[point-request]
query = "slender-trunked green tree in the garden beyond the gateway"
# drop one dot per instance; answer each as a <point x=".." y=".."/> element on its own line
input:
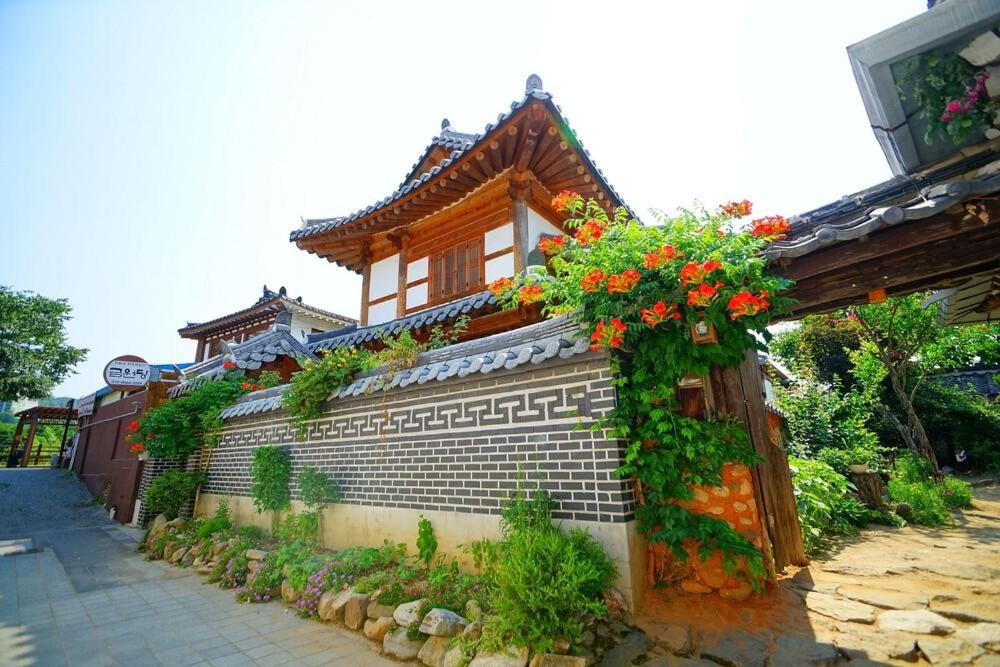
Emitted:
<point x="902" y="344"/>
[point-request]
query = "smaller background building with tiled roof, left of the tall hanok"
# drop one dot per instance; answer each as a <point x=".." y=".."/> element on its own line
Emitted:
<point x="240" y="326"/>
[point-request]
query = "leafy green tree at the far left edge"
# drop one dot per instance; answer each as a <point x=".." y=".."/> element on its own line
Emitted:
<point x="34" y="354"/>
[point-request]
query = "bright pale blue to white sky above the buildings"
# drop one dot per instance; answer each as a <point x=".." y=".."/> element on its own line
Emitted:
<point x="154" y="156"/>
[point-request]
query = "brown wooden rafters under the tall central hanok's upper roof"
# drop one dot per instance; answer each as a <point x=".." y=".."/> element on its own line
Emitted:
<point x="534" y="139"/>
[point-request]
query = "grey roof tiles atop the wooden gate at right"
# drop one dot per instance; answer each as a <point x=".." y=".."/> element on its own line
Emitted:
<point x="890" y="203"/>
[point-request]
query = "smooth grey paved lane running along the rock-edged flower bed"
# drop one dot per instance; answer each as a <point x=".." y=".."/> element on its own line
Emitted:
<point x="83" y="596"/>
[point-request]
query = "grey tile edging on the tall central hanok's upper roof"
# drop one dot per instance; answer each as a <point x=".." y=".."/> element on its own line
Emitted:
<point x="463" y="143"/>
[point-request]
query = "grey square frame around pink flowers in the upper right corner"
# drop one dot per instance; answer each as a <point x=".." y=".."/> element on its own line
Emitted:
<point x="875" y="61"/>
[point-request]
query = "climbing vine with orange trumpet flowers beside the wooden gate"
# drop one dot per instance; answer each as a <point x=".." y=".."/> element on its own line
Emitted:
<point x="643" y="292"/>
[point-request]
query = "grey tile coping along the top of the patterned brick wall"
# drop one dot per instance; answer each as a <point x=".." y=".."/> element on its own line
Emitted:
<point x="536" y="344"/>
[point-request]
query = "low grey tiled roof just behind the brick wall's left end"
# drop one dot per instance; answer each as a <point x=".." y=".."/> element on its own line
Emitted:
<point x="249" y="355"/>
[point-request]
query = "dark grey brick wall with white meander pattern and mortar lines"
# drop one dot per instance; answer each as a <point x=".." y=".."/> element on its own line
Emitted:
<point x="460" y="445"/>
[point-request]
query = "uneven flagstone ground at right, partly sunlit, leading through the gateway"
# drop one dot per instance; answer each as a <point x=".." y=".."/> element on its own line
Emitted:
<point x="903" y="596"/>
